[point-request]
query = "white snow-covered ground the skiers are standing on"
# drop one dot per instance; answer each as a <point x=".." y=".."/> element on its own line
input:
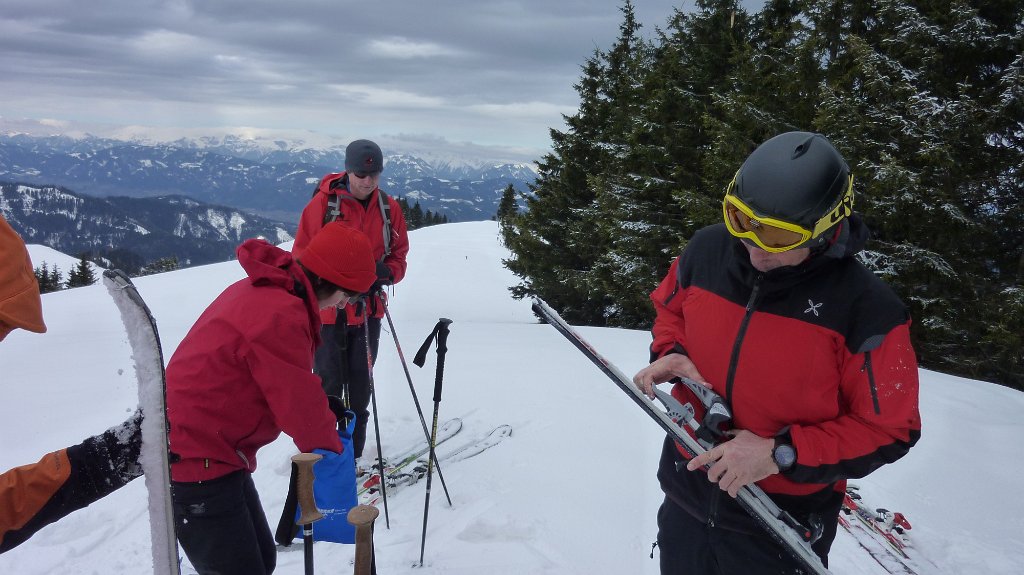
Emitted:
<point x="572" y="492"/>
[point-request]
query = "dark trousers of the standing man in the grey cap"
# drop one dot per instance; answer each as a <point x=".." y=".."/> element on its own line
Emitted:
<point x="342" y="364"/>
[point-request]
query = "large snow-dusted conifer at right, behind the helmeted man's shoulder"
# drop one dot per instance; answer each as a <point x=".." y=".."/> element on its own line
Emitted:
<point x="909" y="101"/>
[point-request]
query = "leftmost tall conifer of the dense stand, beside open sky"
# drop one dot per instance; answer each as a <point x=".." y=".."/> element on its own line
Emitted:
<point x="559" y="240"/>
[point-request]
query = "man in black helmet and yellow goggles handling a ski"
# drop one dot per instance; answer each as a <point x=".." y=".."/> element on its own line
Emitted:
<point x="774" y="312"/>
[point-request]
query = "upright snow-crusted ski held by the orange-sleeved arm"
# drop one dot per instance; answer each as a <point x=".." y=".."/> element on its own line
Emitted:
<point x="148" y="355"/>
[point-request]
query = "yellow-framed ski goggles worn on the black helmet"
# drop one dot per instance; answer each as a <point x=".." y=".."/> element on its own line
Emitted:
<point x="774" y="235"/>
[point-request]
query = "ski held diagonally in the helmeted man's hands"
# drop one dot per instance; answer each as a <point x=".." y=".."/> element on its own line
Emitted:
<point x="778" y="523"/>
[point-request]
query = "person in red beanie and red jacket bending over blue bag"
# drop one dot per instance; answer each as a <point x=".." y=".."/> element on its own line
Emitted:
<point x="242" y="376"/>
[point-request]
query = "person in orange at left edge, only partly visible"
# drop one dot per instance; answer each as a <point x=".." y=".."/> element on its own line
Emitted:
<point x="35" y="496"/>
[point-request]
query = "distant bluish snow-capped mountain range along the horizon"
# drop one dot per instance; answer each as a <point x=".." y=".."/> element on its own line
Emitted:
<point x="261" y="173"/>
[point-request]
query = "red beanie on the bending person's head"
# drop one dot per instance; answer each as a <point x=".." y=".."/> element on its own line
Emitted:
<point x="343" y="256"/>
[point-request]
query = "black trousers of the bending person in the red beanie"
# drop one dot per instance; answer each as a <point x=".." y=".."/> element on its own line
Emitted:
<point x="222" y="526"/>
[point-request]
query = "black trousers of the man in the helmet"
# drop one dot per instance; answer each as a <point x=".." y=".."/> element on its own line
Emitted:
<point x="691" y="547"/>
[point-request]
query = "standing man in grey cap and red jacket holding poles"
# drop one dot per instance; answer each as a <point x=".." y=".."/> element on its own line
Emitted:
<point x="354" y="199"/>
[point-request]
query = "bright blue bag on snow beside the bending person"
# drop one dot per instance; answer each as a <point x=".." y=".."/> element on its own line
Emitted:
<point x="334" y="491"/>
